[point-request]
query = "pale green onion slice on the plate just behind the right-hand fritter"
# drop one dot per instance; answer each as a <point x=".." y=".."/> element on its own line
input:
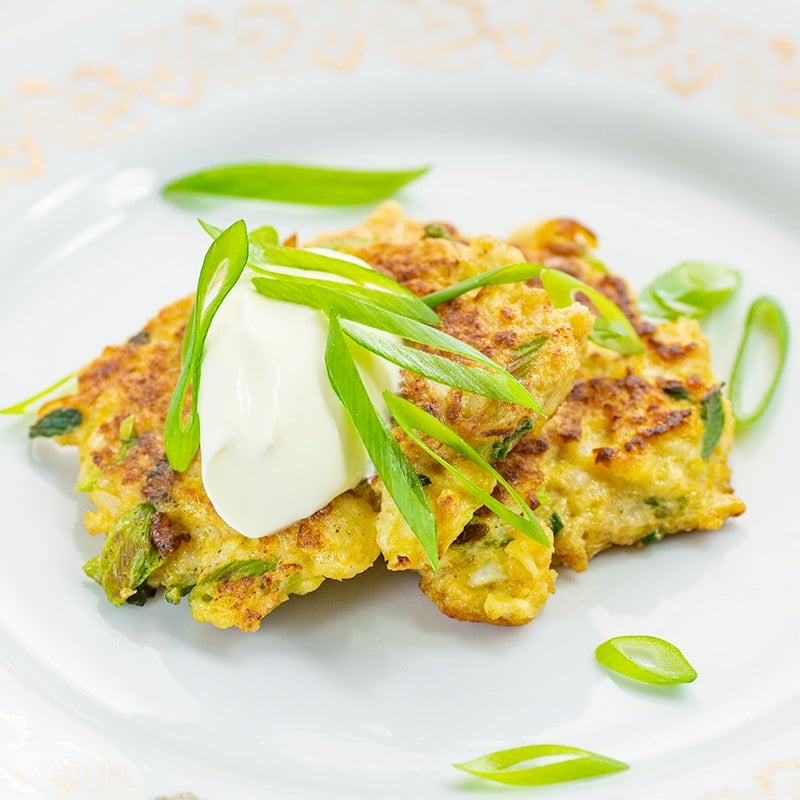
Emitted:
<point x="690" y="289"/>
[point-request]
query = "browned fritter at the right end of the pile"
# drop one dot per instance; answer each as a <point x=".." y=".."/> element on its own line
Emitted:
<point x="622" y="457"/>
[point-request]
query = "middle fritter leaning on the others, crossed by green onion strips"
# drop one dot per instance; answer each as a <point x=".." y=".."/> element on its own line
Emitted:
<point x="503" y="322"/>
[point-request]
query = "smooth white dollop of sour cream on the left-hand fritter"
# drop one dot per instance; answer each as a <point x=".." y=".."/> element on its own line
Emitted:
<point x="276" y="444"/>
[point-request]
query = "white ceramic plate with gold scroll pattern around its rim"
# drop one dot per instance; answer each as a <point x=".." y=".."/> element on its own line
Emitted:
<point x="671" y="129"/>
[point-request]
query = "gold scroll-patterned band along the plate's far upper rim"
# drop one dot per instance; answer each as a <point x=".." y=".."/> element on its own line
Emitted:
<point x="174" y="66"/>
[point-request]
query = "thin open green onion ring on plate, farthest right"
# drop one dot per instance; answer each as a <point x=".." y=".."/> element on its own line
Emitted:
<point x="766" y="325"/>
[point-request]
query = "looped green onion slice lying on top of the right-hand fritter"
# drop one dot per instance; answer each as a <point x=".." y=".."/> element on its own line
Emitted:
<point x="612" y="329"/>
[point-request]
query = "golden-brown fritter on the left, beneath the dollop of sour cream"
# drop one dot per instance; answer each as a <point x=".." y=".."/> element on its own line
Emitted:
<point x="231" y="580"/>
